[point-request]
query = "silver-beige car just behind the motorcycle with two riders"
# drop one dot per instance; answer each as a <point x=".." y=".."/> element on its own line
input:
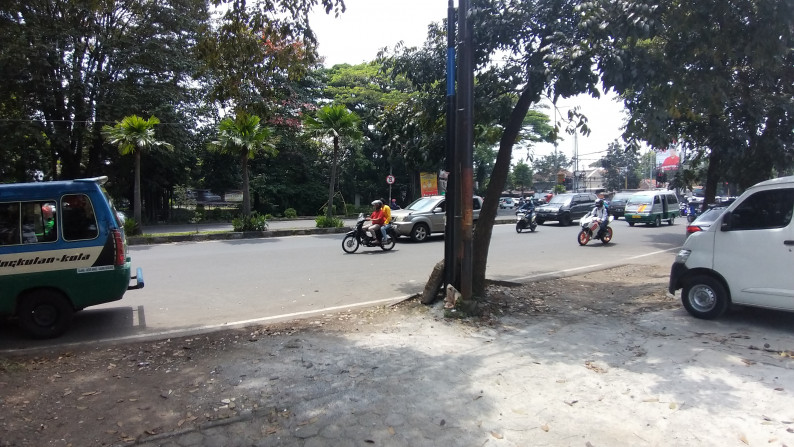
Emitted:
<point x="425" y="216"/>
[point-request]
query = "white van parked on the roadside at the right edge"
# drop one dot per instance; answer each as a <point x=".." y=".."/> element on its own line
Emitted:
<point x="745" y="257"/>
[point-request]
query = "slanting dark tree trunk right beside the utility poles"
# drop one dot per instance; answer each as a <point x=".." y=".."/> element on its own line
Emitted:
<point x="482" y="237"/>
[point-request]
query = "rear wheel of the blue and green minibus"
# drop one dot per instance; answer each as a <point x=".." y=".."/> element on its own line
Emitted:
<point x="45" y="313"/>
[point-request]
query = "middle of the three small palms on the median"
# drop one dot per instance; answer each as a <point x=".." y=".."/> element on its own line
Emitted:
<point x="244" y="137"/>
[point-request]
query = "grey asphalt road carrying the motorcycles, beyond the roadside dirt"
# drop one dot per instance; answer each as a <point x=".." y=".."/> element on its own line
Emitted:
<point x="199" y="286"/>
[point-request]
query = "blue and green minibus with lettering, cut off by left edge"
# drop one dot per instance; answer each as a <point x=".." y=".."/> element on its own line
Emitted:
<point x="62" y="249"/>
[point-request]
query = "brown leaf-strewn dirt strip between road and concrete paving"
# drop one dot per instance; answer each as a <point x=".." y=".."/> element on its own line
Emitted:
<point x="112" y="394"/>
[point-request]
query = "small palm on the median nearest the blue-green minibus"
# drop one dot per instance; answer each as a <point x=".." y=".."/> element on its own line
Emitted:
<point x="133" y="135"/>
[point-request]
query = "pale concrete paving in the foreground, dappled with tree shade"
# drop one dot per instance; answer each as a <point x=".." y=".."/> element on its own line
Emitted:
<point x="410" y="377"/>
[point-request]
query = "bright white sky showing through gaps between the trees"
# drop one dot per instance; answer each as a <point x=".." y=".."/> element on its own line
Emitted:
<point x="367" y="26"/>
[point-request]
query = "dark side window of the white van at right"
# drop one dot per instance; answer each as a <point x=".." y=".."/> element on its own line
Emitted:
<point x="764" y="209"/>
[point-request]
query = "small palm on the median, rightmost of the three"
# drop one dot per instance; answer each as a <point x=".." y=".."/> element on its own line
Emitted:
<point x="337" y="122"/>
